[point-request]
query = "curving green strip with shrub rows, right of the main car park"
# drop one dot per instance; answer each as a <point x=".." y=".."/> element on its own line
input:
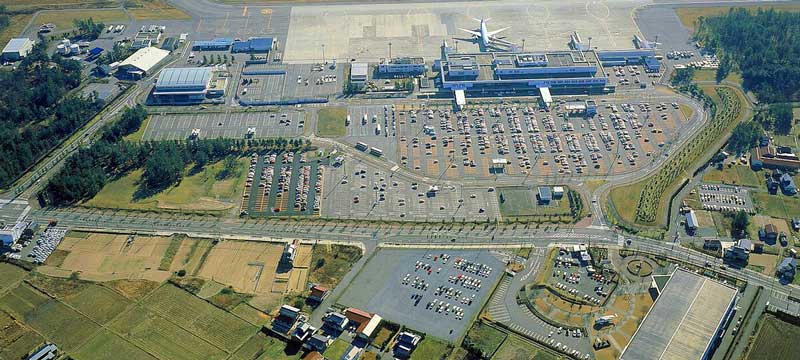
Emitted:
<point x="646" y="203"/>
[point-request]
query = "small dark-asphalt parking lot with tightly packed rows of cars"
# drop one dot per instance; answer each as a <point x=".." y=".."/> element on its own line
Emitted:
<point x="283" y="184"/>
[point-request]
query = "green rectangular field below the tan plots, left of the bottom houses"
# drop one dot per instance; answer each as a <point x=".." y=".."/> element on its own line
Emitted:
<point x="216" y="326"/>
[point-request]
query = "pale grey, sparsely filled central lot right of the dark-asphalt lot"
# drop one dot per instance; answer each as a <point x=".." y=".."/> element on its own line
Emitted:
<point x="358" y="190"/>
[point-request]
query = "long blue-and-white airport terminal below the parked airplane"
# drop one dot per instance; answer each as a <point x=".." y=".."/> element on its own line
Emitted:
<point x="521" y="73"/>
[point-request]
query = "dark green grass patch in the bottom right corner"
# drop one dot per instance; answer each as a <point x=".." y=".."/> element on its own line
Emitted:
<point x="775" y="339"/>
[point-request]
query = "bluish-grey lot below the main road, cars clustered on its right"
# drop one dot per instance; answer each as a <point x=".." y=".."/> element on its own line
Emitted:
<point x="433" y="291"/>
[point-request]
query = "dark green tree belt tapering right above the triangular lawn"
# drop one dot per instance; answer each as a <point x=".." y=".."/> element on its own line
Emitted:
<point x="88" y="170"/>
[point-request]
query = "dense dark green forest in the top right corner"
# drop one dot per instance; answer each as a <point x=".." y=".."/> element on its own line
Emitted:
<point x="762" y="45"/>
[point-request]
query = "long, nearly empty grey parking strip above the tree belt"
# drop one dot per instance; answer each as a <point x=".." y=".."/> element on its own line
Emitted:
<point x="288" y="123"/>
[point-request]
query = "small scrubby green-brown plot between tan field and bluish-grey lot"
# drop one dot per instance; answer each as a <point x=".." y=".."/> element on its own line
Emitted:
<point x="329" y="263"/>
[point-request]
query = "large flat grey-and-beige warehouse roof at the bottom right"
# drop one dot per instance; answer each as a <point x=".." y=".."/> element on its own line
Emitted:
<point x="684" y="320"/>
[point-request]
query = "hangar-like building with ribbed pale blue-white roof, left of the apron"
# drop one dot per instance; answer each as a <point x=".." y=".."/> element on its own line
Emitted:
<point x="187" y="85"/>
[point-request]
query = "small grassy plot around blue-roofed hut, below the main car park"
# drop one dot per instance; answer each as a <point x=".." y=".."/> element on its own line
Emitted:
<point x="522" y="202"/>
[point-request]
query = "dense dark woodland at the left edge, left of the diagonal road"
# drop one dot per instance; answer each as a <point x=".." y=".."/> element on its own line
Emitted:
<point x="37" y="112"/>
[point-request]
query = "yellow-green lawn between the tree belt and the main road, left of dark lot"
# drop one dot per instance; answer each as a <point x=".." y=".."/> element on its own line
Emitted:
<point x="201" y="192"/>
